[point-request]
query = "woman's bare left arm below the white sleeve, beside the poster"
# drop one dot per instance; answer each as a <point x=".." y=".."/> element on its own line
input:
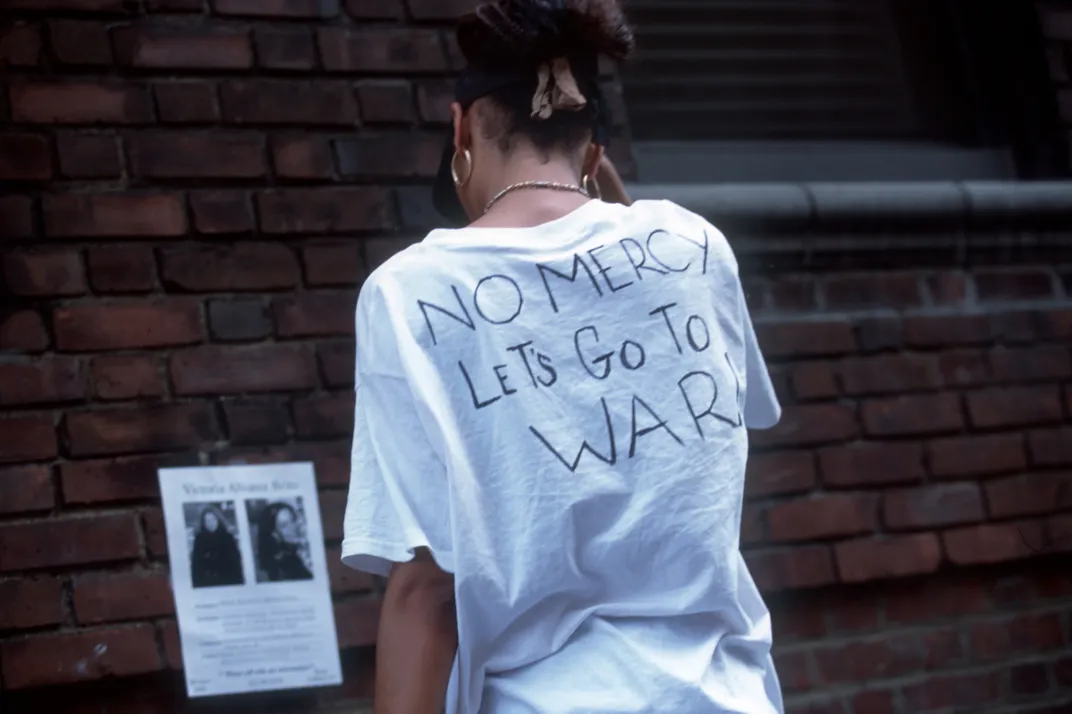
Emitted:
<point x="418" y="639"/>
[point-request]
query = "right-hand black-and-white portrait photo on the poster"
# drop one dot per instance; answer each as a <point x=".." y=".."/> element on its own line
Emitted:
<point x="279" y="535"/>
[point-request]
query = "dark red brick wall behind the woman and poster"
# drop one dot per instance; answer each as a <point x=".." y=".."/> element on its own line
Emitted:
<point x="193" y="191"/>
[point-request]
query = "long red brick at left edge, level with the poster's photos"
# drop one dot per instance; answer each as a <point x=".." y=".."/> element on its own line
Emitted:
<point x="54" y="543"/>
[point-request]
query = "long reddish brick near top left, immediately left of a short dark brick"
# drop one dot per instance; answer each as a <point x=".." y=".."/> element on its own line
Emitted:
<point x="183" y="50"/>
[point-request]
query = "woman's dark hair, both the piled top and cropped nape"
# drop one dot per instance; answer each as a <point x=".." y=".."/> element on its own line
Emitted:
<point x="524" y="34"/>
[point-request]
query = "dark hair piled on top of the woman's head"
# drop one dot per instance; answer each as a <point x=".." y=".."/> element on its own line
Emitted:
<point x="532" y="32"/>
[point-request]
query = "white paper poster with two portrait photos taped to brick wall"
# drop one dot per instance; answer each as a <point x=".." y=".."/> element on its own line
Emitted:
<point x="250" y="578"/>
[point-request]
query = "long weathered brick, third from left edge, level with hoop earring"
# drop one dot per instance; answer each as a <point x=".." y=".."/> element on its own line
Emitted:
<point x="182" y="155"/>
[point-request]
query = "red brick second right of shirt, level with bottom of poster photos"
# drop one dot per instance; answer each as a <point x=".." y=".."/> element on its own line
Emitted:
<point x="859" y="561"/>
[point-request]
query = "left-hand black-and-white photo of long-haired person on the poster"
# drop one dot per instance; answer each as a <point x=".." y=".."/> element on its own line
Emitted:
<point x="213" y="544"/>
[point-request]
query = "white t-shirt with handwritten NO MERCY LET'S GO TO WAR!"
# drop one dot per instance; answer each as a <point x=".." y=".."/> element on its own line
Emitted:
<point x="559" y="415"/>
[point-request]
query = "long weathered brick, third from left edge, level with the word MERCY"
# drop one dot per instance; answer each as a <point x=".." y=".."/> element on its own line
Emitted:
<point x="230" y="269"/>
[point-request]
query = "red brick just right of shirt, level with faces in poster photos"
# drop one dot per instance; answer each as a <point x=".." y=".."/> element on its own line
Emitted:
<point x="824" y="517"/>
